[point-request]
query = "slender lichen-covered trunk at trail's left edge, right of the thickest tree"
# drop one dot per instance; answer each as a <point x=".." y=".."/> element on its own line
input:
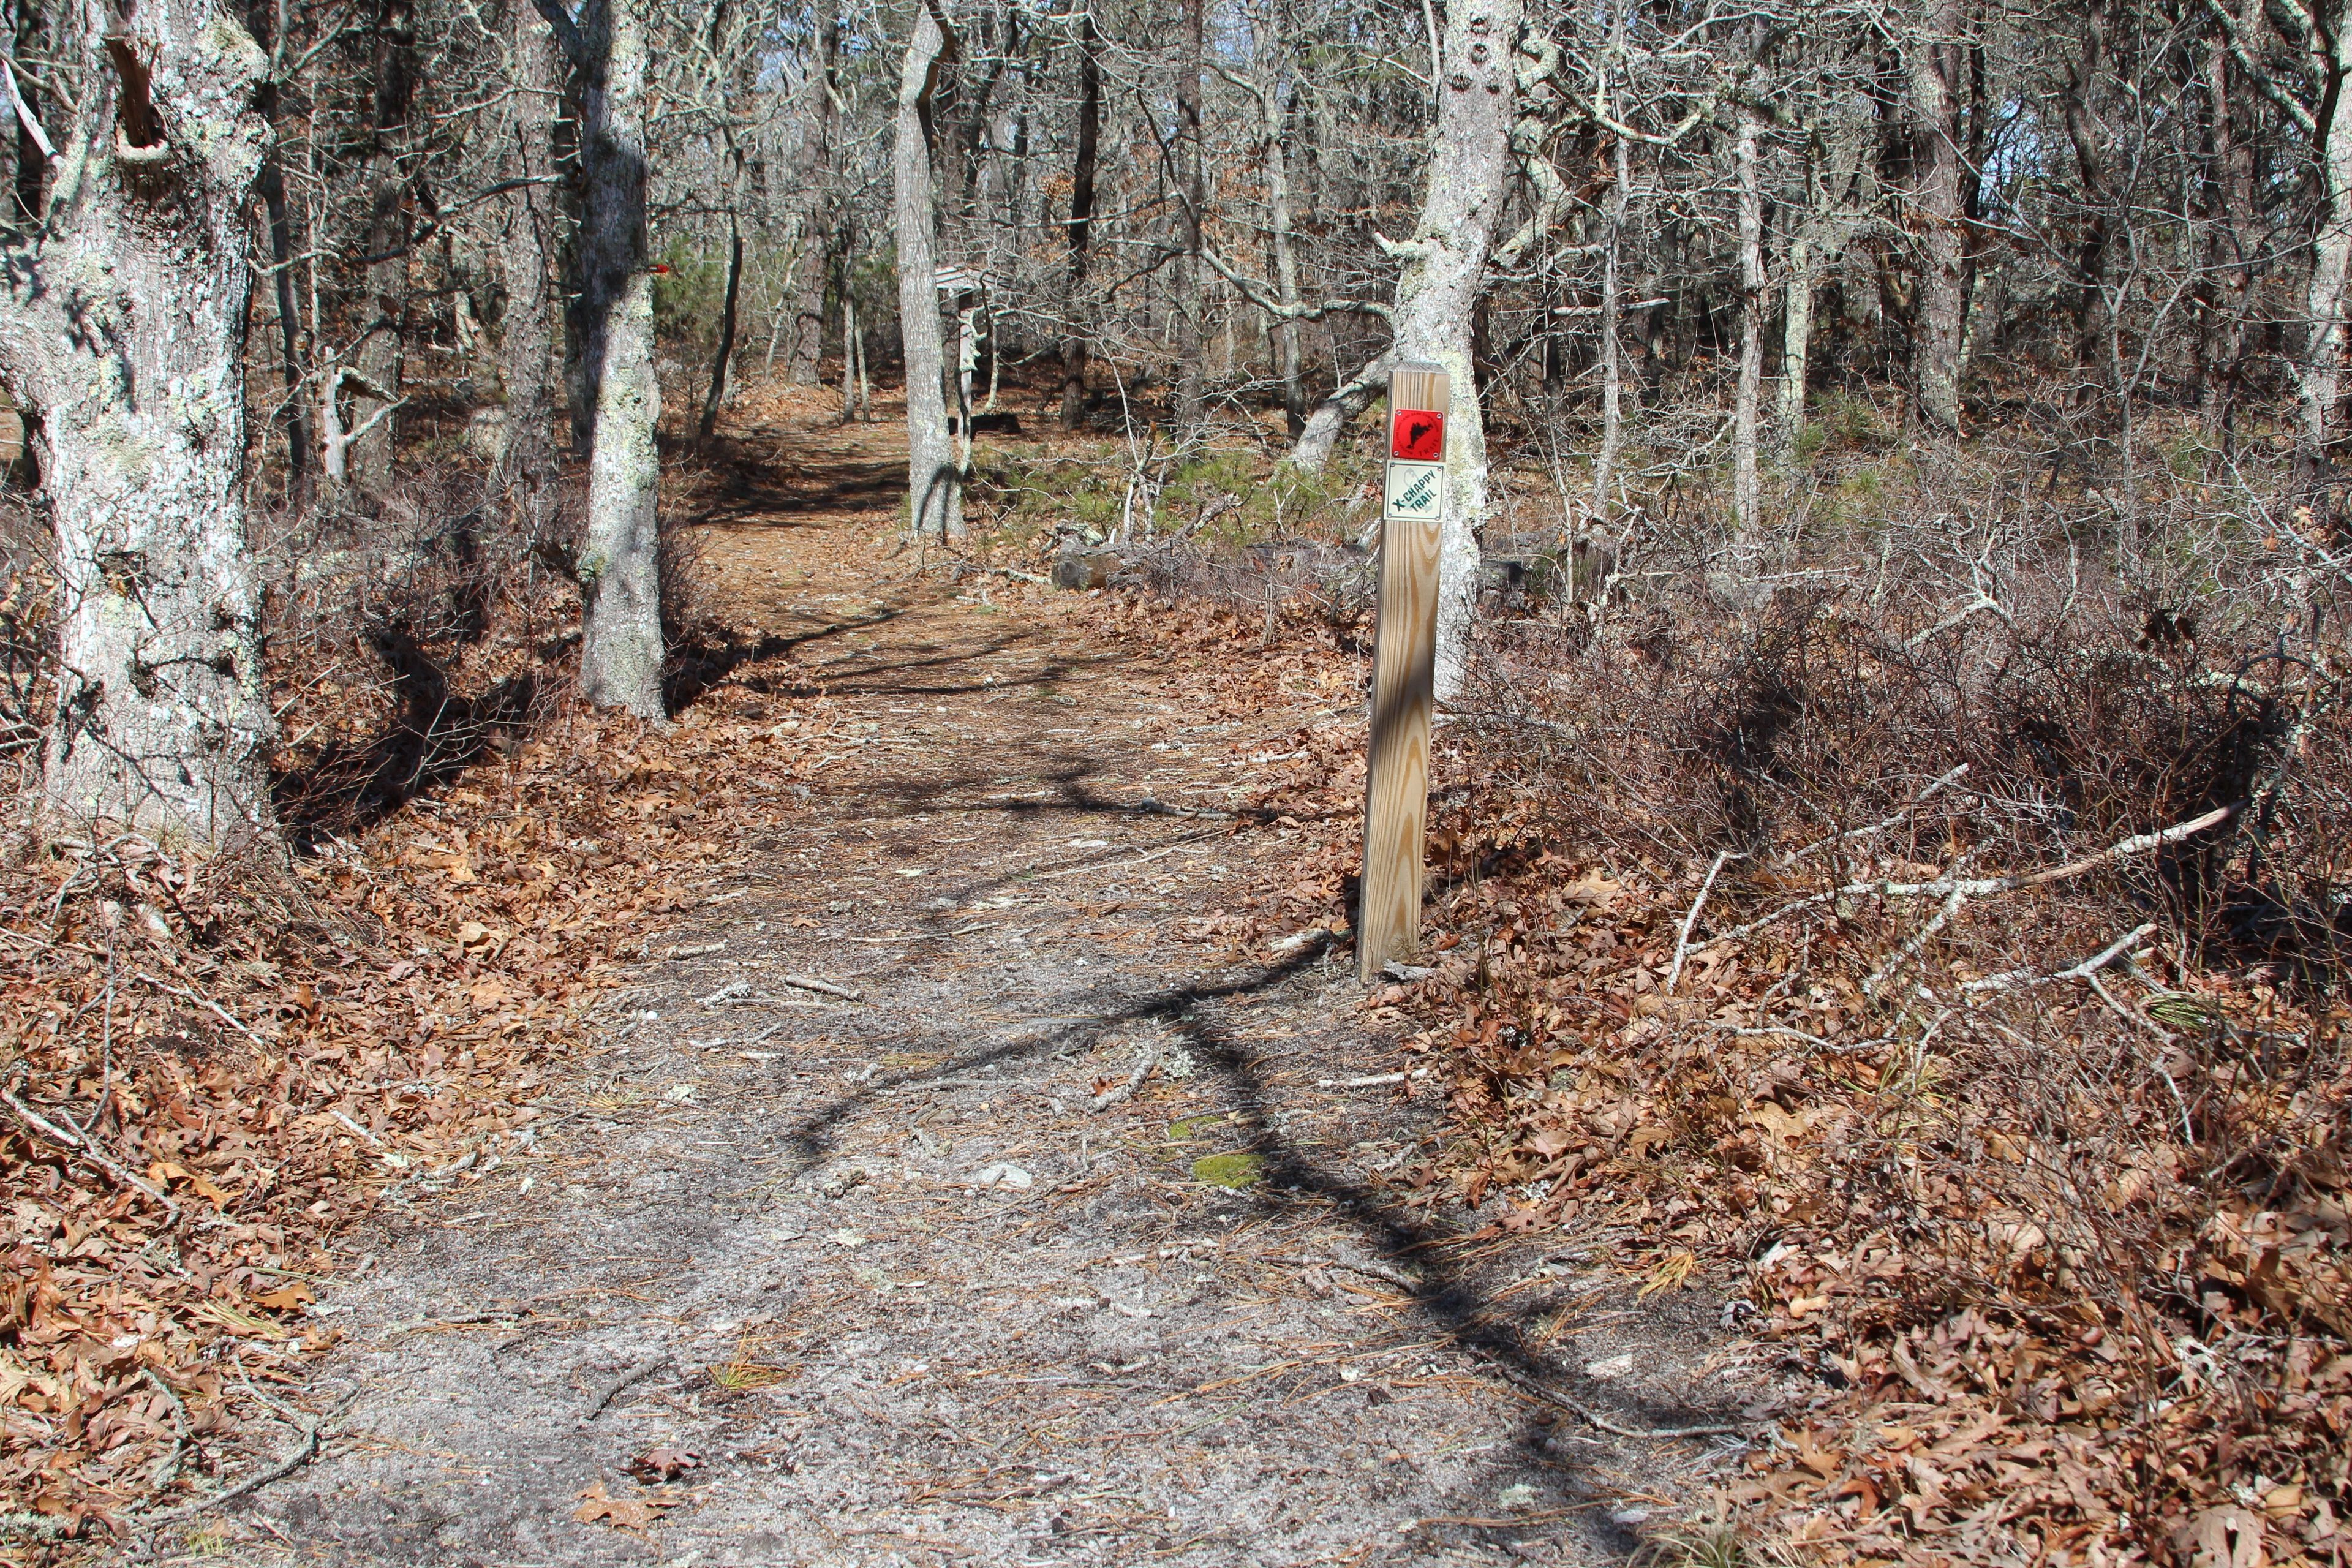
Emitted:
<point x="622" y="549"/>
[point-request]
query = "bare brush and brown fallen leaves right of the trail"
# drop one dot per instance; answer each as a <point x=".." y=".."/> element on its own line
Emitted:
<point x="1944" y="946"/>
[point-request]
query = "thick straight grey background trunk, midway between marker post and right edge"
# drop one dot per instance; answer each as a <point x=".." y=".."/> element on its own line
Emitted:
<point x="1935" y="60"/>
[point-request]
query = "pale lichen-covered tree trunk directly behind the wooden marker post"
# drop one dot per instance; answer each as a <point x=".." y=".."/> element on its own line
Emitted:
<point x="1445" y="276"/>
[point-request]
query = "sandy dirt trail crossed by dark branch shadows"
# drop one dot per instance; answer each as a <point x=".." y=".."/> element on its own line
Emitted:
<point x="888" y="1266"/>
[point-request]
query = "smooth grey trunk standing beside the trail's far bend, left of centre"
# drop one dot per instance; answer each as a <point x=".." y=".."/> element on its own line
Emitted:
<point x="935" y="483"/>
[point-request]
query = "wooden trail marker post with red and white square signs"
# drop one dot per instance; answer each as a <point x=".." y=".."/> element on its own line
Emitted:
<point x="1403" y="669"/>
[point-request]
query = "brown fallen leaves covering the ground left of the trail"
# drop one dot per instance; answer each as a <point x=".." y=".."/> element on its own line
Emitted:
<point x="218" y="1068"/>
